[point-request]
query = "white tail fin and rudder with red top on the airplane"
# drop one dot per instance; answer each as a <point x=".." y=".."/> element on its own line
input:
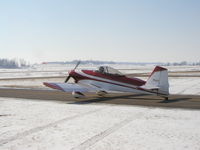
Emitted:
<point x="158" y="80"/>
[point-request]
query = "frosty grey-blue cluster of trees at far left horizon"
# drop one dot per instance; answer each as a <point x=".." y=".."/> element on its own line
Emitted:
<point x="14" y="63"/>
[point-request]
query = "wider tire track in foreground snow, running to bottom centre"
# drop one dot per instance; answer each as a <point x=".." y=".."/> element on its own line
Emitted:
<point x="91" y="141"/>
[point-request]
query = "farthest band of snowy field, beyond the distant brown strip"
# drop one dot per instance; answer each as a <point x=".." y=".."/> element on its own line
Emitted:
<point x="49" y="70"/>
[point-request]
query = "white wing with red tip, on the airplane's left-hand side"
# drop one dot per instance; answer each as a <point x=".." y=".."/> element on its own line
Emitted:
<point x="69" y="87"/>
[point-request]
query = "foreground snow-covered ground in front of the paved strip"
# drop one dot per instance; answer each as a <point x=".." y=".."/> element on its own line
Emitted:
<point x="42" y="125"/>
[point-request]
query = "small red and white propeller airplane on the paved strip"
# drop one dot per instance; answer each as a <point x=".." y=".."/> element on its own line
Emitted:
<point x="109" y="80"/>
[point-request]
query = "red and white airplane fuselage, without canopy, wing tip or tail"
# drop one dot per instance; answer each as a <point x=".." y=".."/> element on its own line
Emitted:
<point x="107" y="82"/>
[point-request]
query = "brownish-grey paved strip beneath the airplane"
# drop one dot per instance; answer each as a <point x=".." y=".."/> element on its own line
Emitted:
<point x="175" y="101"/>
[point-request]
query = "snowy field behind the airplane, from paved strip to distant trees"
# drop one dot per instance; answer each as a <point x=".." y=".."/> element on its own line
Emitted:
<point x="182" y="80"/>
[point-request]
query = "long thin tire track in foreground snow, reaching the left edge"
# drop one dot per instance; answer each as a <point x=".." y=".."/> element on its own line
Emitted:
<point x="40" y="128"/>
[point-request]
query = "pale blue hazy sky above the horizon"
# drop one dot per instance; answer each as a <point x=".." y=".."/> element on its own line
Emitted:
<point x="113" y="30"/>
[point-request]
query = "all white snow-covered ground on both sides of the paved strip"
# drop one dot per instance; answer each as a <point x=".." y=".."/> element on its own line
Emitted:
<point x="42" y="125"/>
